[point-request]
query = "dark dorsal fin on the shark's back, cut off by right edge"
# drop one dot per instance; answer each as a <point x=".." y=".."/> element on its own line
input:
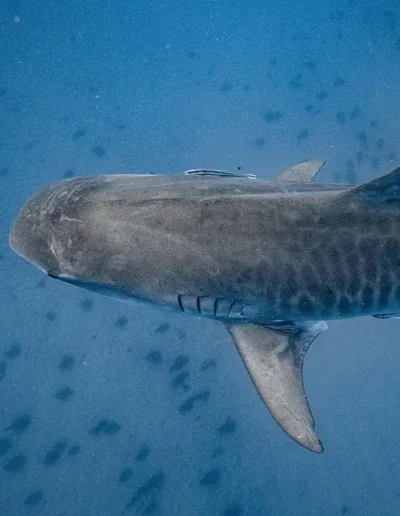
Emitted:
<point x="383" y="189"/>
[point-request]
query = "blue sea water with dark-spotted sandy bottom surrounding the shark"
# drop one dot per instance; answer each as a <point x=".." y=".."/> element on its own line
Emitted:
<point x="111" y="409"/>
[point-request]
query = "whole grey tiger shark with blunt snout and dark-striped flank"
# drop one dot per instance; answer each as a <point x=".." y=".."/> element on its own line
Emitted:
<point x="271" y="260"/>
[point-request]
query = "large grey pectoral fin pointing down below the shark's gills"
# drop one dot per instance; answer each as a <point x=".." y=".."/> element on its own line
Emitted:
<point x="273" y="356"/>
